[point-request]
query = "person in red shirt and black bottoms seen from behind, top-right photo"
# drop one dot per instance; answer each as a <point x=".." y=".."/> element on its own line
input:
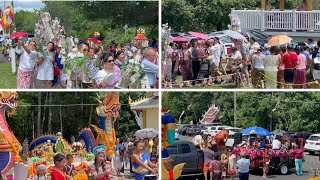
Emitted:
<point x="290" y="60"/>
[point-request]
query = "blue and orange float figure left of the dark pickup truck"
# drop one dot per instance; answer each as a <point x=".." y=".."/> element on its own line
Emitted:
<point x="168" y="126"/>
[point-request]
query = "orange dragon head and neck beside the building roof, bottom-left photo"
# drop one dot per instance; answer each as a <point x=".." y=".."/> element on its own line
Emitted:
<point x="108" y="113"/>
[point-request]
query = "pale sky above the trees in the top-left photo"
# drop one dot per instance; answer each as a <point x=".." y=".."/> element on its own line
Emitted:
<point x="27" y="5"/>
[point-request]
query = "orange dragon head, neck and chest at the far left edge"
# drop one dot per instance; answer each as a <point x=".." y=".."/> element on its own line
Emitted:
<point x="9" y="145"/>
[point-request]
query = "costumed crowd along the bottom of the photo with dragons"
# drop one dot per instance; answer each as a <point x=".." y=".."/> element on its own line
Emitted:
<point x="137" y="155"/>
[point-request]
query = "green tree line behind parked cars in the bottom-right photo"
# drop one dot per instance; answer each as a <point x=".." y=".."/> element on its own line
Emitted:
<point x="291" y="111"/>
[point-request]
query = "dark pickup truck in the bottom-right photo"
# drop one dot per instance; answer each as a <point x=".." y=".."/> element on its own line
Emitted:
<point x="186" y="152"/>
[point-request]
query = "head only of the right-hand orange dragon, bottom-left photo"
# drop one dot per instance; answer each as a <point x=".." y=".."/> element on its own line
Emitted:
<point x="109" y="106"/>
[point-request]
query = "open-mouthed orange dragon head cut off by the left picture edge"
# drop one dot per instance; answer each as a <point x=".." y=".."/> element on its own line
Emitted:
<point x="8" y="100"/>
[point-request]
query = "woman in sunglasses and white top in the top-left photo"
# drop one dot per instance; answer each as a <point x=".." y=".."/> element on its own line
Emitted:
<point x="109" y="69"/>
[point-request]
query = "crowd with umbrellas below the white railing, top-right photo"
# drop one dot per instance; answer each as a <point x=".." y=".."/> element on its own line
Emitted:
<point x="285" y="66"/>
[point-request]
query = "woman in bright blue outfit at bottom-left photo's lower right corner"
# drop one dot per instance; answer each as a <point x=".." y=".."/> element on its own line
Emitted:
<point x="141" y="162"/>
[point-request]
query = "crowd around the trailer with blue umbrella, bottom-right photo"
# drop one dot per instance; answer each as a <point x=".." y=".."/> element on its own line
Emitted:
<point x="220" y="162"/>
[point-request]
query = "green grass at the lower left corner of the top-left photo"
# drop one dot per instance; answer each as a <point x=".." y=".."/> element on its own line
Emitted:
<point x="7" y="79"/>
